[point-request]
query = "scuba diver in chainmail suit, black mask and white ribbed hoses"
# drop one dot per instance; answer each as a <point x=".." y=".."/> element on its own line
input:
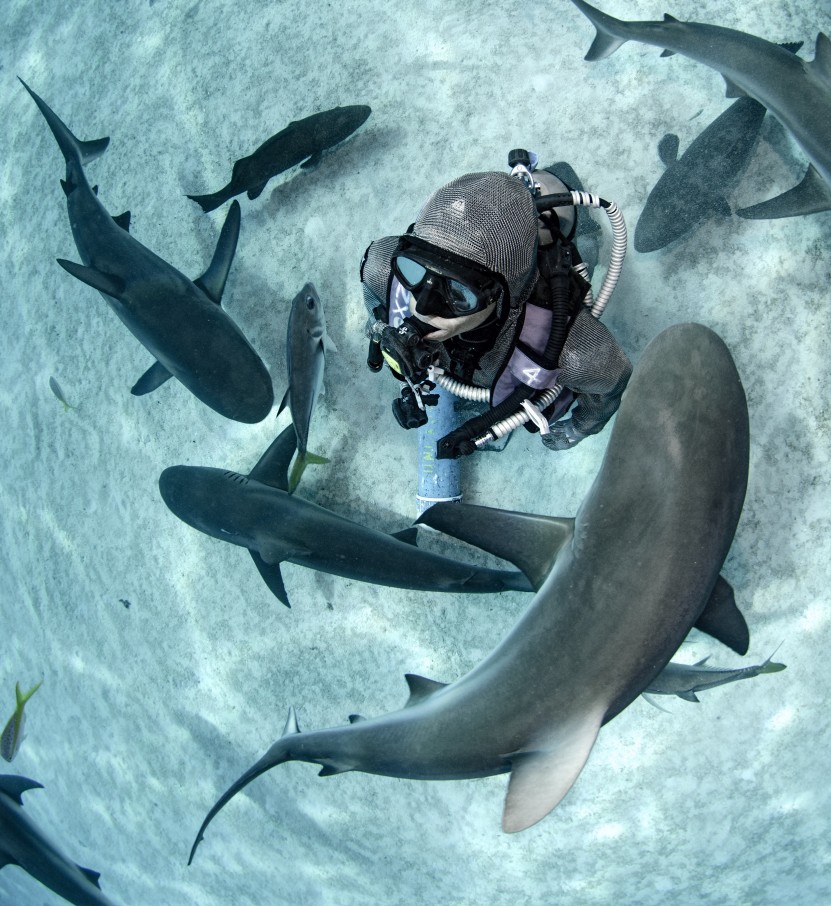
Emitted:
<point x="487" y="296"/>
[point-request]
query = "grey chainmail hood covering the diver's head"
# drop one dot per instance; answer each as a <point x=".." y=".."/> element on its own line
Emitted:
<point x="489" y="218"/>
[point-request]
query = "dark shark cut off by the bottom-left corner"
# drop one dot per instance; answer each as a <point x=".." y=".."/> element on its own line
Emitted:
<point x="23" y="844"/>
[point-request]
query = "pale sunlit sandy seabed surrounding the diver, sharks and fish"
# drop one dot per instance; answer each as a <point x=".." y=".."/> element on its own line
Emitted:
<point x="147" y="713"/>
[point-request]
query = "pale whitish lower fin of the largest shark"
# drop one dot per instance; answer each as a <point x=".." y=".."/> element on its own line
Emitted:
<point x="541" y="778"/>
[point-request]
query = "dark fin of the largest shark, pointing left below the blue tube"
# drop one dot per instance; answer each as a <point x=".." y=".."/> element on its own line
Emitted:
<point x="530" y="542"/>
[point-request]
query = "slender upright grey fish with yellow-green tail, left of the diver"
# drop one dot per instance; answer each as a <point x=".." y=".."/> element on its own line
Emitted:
<point x="306" y="345"/>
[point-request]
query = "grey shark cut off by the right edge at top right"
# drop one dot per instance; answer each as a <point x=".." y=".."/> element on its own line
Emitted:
<point x="795" y="92"/>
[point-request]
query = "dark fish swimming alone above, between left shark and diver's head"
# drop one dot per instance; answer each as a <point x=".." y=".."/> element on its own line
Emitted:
<point x="302" y="140"/>
